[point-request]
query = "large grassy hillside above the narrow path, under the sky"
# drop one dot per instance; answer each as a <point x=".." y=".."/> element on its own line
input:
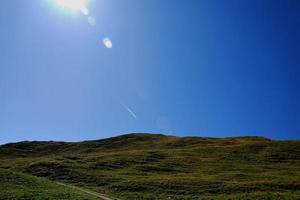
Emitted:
<point x="143" y="166"/>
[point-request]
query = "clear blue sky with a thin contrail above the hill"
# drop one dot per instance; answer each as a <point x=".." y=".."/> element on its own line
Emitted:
<point x="215" y="68"/>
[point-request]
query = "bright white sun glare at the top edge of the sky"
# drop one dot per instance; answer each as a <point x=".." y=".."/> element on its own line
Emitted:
<point x="73" y="5"/>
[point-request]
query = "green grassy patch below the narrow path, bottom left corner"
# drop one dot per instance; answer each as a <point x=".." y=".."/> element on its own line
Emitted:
<point x="20" y="186"/>
